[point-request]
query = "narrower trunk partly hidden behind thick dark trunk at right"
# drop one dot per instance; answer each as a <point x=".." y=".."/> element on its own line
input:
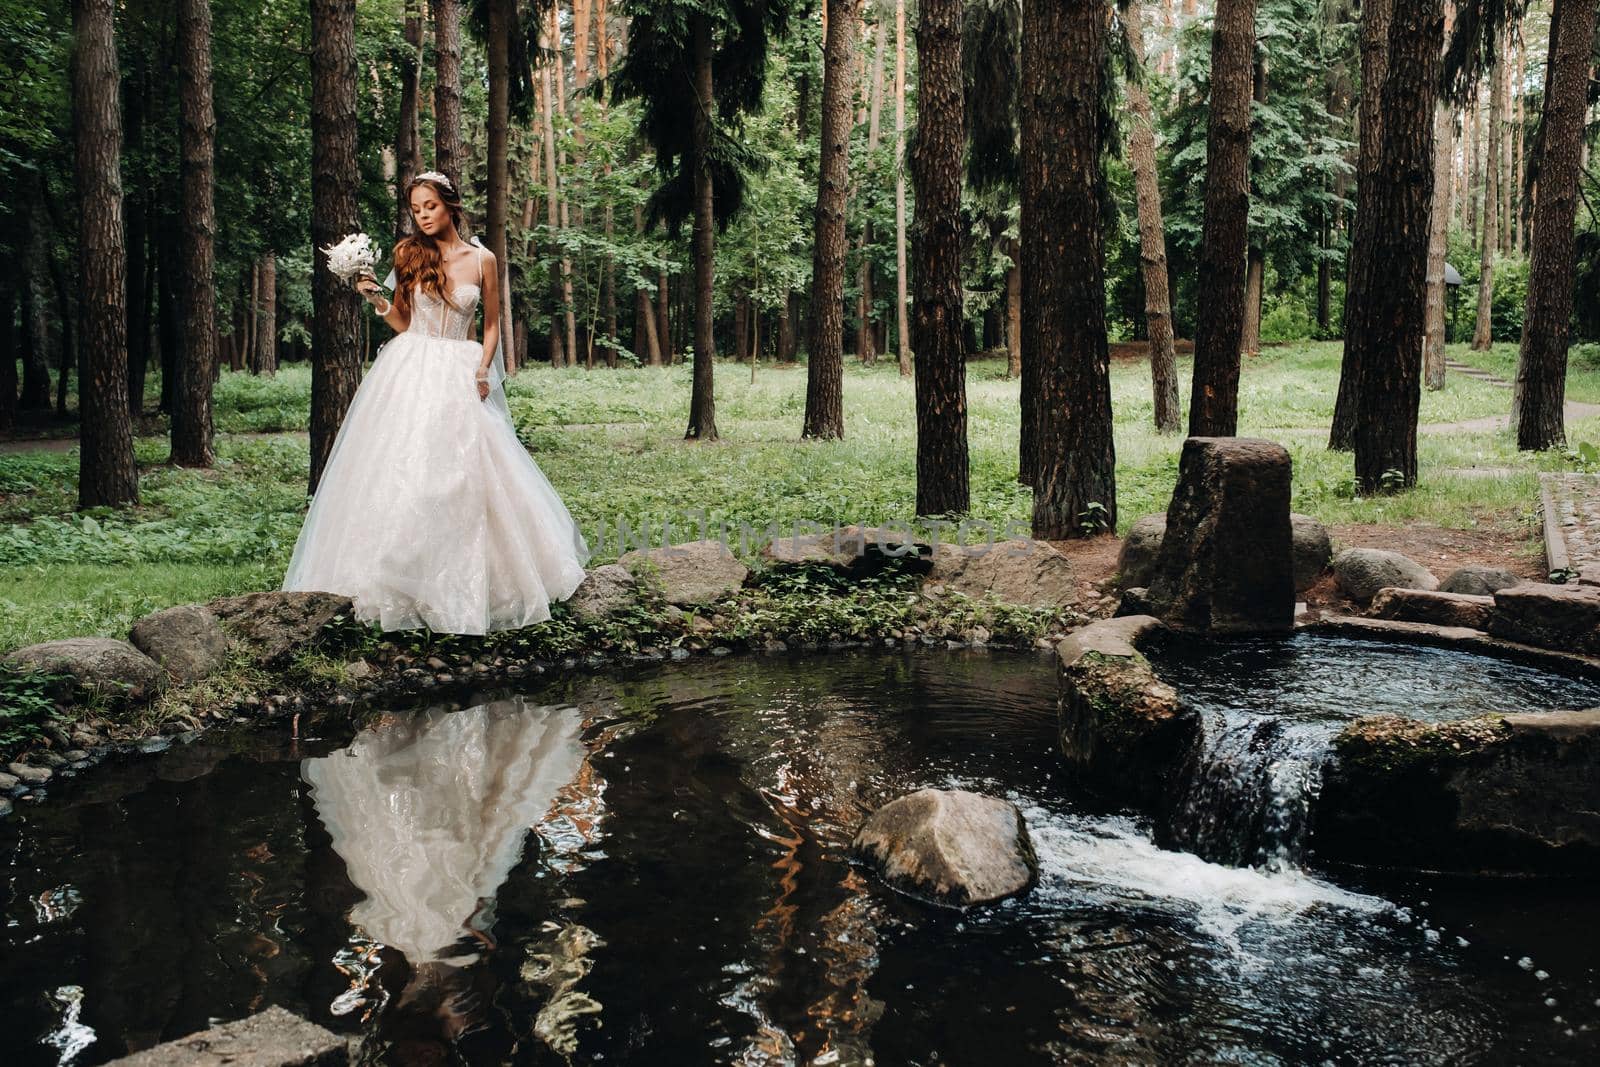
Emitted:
<point x="1377" y="17"/>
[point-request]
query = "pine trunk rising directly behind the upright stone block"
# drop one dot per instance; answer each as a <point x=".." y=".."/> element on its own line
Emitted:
<point x="1214" y="409"/>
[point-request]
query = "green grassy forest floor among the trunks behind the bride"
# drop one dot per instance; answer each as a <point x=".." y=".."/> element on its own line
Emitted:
<point x="612" y="442"/>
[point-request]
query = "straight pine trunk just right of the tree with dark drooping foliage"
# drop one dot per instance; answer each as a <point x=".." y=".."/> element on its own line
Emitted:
<point x="825" y="401"/>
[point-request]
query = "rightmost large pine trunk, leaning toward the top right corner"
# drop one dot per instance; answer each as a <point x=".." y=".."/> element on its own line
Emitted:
<point x="1542" y="369"/>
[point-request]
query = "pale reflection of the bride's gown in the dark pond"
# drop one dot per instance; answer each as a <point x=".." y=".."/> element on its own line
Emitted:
<point x="430" y="815"/>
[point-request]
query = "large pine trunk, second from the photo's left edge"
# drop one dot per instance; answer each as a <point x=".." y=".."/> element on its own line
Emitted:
<point x="198" y="137"/>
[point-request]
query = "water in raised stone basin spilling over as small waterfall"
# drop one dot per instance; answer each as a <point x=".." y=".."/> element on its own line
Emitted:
<point x="1271" y="708"/>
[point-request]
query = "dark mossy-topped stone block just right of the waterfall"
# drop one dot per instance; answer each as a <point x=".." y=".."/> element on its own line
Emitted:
<point x="1492" y="794"/>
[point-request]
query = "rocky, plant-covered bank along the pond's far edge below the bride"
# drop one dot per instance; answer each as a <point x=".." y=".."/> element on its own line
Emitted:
<point x="281" y="655"/>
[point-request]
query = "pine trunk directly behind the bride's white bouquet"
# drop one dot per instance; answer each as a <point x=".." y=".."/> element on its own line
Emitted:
<point x="335" y="177"/>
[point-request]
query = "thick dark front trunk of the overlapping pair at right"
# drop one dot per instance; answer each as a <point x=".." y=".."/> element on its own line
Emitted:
<point x="1388" y="327"/>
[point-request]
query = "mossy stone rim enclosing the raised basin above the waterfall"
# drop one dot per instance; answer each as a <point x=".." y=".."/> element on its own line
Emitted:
<point x="1492" y="794"/>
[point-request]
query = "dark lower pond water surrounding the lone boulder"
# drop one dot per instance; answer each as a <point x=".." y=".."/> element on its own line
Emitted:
<point x="684" y="897"/>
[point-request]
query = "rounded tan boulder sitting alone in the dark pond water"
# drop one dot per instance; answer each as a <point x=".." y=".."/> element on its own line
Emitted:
<point x="951" y="847"/>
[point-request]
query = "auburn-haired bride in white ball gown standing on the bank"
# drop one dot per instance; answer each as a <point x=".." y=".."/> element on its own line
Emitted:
<point x="430" y="511"/>
